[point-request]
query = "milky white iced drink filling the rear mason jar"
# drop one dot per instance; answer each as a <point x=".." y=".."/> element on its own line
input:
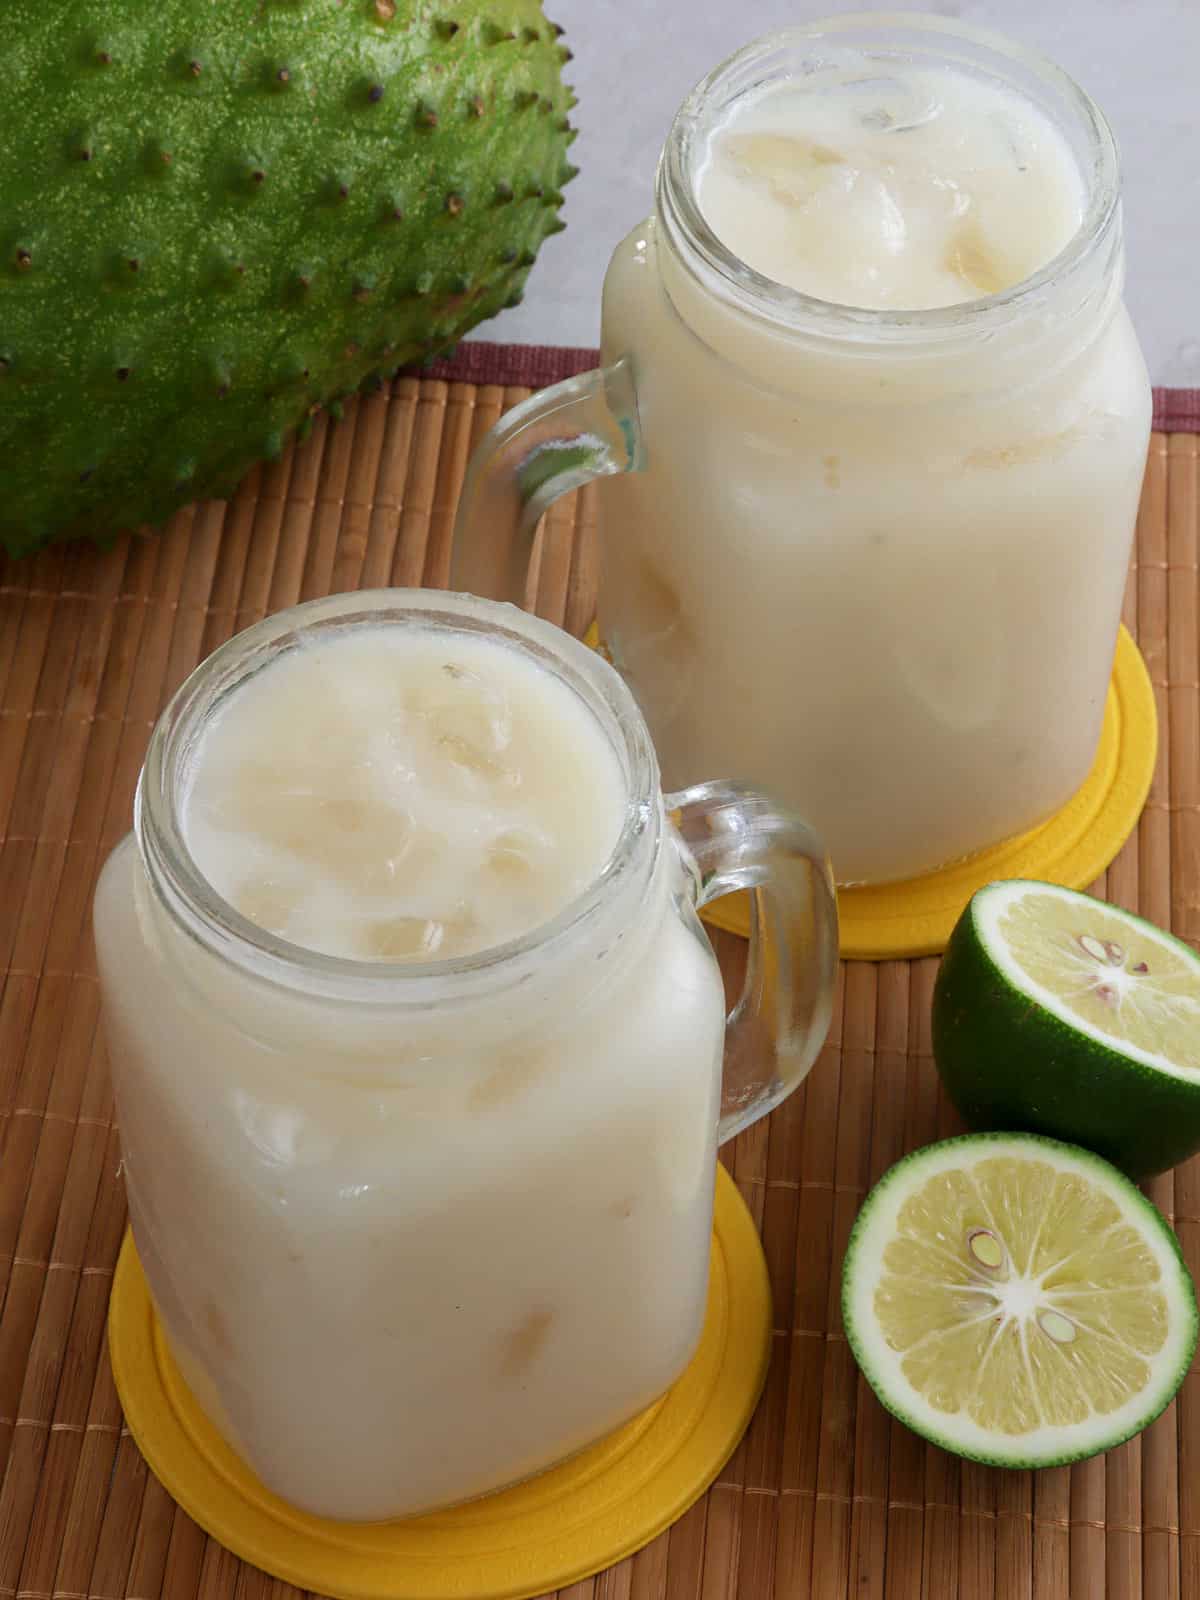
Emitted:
<point x="876" y="553"/>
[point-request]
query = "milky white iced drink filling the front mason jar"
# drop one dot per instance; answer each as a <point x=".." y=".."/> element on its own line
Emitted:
<point x="415" y="1238"/>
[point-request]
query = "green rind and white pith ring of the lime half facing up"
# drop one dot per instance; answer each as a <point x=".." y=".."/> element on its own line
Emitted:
<point x="1017" y="1455"/>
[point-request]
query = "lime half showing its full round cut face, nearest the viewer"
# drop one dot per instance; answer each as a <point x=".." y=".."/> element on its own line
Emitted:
<point x="1017" y="1300"/>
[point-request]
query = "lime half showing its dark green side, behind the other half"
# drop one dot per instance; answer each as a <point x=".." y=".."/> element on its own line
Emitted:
<point x="1062" y="1015"/>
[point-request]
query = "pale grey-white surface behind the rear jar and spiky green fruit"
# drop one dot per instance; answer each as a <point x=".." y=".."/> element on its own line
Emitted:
<point x="636" y="60"/>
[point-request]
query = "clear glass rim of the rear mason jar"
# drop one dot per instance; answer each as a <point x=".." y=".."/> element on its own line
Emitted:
<point x="791" y="310"/>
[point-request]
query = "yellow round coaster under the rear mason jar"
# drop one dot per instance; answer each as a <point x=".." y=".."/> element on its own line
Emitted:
<point x="916" y="918"/>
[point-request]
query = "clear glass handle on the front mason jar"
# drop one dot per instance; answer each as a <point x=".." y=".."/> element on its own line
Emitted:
<point x="742" y="842"/>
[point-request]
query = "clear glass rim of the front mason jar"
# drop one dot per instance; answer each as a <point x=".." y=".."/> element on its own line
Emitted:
<point x="212" y="921"/>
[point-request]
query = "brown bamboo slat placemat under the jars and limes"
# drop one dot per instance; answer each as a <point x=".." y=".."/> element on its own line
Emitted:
<point x="828" y="1497"/>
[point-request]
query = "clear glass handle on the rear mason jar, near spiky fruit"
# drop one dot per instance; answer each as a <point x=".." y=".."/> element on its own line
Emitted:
<point x="554" y="442"/>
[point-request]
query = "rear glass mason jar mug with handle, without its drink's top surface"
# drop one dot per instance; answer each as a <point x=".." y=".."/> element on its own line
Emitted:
<point x="868" y="559"/>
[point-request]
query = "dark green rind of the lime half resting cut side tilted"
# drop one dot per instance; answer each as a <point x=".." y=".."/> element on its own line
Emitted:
<point x="1009" y="1063"/>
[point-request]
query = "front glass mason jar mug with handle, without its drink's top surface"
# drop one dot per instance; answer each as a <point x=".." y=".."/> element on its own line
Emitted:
<point x="465" y="1204"/>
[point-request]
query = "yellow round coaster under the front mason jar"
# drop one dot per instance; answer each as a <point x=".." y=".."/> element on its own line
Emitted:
<point x="554" y="1530"/>
